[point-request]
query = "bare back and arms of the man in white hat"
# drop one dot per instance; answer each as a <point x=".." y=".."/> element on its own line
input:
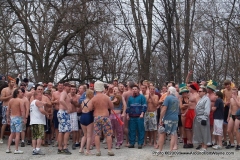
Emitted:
<point x="100" y="104"/>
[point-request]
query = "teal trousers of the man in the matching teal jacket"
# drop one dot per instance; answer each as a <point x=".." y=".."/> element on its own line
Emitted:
<point x="136" y="124"/>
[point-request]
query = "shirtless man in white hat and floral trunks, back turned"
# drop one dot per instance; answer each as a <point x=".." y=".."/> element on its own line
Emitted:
<point x="101" y="104"/>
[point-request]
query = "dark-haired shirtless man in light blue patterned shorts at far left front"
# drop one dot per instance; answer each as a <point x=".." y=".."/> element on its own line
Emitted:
<point x="15" y="118"/>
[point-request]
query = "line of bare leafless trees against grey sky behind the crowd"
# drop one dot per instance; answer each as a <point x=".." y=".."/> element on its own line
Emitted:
<point x="83" y="40"/>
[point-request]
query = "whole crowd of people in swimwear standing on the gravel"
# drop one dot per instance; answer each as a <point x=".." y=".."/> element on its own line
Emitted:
<point x="188" y="113"/>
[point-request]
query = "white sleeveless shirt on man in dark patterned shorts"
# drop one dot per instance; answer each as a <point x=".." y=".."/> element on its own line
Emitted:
<point x="36" y="117"/>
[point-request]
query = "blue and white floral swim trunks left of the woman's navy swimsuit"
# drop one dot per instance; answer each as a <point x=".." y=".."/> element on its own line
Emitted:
<point x="64" y="121"/>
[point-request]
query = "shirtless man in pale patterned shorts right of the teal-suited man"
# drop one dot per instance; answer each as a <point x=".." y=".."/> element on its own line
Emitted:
<point x="150" y="117"/>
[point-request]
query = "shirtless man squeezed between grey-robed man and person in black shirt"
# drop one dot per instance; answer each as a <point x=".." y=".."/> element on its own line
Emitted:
<point x="213" y="99"/>
